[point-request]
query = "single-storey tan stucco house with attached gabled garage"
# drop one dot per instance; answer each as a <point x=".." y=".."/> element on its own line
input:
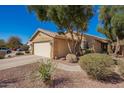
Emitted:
<point x="53" y="45"/>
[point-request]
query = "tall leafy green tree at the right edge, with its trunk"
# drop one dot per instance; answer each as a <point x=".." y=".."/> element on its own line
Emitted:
<point x="112" y="24"/>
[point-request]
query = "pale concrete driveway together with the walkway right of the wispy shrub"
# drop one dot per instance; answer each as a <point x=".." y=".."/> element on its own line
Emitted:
<point x="29" y="59"/>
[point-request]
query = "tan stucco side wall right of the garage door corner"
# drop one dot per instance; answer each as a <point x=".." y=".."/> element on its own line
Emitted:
<point x="61" y="47"/>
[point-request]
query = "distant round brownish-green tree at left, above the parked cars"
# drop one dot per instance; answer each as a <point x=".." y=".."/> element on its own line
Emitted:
<point x="14" y="42"/>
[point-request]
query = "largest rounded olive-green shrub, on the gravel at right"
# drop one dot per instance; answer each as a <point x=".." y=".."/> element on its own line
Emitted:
<point x="98" y="66"/>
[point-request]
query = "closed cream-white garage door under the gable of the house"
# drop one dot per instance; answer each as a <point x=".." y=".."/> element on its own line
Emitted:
<point x="42" y="49"/>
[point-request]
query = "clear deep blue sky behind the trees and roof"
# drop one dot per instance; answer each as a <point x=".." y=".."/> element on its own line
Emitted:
<point x="17" y="21"/>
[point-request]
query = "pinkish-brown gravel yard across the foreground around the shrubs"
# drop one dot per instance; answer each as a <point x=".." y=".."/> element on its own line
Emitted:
<point x="24" y="76"/>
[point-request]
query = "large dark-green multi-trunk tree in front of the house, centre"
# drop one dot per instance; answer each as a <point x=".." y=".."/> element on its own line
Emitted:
<point x="73" y="19"/>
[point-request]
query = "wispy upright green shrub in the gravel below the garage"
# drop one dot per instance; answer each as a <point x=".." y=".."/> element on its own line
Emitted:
<point x="46" y="70"/>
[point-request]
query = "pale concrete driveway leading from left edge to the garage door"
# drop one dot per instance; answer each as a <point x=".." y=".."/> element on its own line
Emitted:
<point x="18" y="61"/>
